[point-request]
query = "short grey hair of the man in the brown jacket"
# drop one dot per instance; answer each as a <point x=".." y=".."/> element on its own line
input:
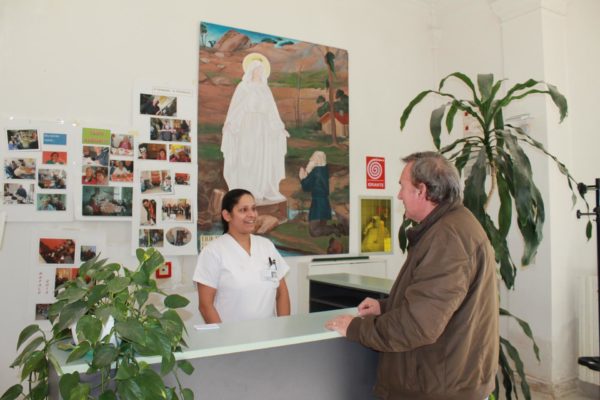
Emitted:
<point x="438" y="174"/>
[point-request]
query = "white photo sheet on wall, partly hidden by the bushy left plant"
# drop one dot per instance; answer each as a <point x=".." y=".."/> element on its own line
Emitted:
<point x="56" y="256"/>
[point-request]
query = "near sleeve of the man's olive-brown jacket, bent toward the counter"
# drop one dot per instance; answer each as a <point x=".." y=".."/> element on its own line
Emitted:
<point x="419" y="316"/>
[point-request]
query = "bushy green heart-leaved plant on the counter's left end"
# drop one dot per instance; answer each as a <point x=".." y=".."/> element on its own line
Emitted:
<point x="107" y="292"/>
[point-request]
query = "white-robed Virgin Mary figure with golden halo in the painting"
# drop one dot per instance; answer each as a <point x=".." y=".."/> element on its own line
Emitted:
<point x="254" y="140"/>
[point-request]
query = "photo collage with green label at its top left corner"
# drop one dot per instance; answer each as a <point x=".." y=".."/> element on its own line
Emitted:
<point x="107" y="169"/>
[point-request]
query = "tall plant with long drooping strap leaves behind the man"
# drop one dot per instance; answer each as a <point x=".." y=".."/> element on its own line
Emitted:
<point x="496" y="164"/>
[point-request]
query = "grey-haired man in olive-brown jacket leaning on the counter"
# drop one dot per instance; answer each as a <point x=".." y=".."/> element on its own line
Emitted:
<point x="438" y="330"/>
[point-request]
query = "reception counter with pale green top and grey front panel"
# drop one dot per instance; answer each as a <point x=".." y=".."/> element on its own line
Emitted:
<point x="291" y="357"/>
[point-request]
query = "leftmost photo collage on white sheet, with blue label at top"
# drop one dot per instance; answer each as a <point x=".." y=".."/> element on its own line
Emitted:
<point x="36" y="175"/>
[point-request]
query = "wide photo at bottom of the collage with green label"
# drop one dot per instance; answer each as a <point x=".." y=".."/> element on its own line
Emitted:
<point x="106" y="201"/>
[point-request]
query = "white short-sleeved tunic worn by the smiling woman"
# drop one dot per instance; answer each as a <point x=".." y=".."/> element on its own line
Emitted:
<point x="243" y="291"/>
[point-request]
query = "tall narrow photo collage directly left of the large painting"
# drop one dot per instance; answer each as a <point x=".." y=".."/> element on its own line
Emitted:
<point x="164" y="199"/>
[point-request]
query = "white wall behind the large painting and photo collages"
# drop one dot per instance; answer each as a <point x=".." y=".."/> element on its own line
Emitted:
<point x="77" y="60"/>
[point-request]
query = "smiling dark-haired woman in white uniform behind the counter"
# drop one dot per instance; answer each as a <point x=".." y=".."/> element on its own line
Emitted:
<point x="240" y="276"/>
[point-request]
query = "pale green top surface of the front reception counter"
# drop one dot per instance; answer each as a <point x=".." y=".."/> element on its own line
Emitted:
<point x="236" y="337"/>
